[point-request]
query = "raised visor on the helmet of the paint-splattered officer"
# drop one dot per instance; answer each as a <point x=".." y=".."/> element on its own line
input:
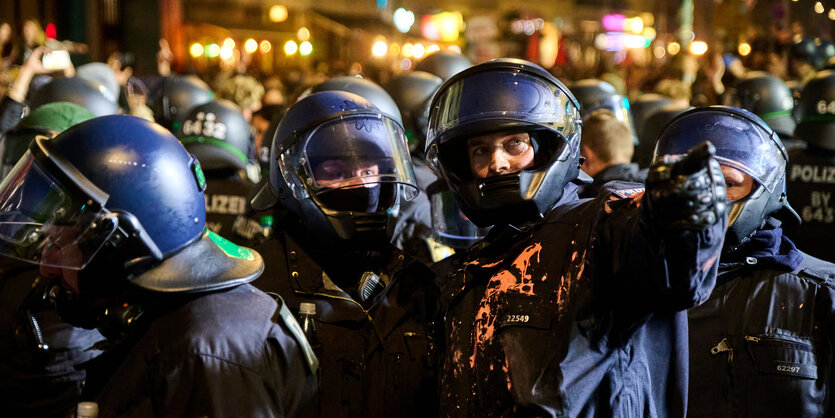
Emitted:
<point x="511" y="97"/>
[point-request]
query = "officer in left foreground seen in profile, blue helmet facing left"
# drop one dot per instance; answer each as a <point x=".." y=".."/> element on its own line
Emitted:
<point x="113" y="208"/>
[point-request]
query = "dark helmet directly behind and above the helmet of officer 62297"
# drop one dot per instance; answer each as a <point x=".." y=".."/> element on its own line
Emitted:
<point x="767" y="97"/>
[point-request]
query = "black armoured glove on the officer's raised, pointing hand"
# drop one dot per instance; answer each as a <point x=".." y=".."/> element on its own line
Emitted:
<point x="686" y="192"/>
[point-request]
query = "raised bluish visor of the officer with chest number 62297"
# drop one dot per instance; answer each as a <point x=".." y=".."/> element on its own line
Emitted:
<point x="738" y="144"/>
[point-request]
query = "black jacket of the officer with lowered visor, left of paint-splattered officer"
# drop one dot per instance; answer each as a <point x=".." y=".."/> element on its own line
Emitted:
<point x="375" y="361"/>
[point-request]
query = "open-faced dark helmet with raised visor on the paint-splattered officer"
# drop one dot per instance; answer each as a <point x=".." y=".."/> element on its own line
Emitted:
<point x="505" y="95"/>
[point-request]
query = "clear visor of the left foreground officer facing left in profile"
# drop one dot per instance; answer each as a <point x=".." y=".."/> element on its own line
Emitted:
<point x="42" y="221"/>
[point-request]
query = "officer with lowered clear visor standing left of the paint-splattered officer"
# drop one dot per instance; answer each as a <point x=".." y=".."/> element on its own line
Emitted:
<point x="339" y="171"/>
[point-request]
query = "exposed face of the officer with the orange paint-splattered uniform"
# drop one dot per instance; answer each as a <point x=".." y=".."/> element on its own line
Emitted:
<point x="499" y="153"/>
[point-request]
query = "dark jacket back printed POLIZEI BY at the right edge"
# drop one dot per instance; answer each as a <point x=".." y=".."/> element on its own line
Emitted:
<point x="811" y="190"/>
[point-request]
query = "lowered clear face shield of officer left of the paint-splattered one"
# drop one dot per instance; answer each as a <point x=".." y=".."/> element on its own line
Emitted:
<point x="357" y="163"/>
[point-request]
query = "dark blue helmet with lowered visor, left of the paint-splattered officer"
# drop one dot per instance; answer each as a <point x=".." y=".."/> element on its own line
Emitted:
<point x="340" y="166"/>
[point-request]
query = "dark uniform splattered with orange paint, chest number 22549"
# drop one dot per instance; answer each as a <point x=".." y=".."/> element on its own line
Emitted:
<point x="576" y="315"/>
